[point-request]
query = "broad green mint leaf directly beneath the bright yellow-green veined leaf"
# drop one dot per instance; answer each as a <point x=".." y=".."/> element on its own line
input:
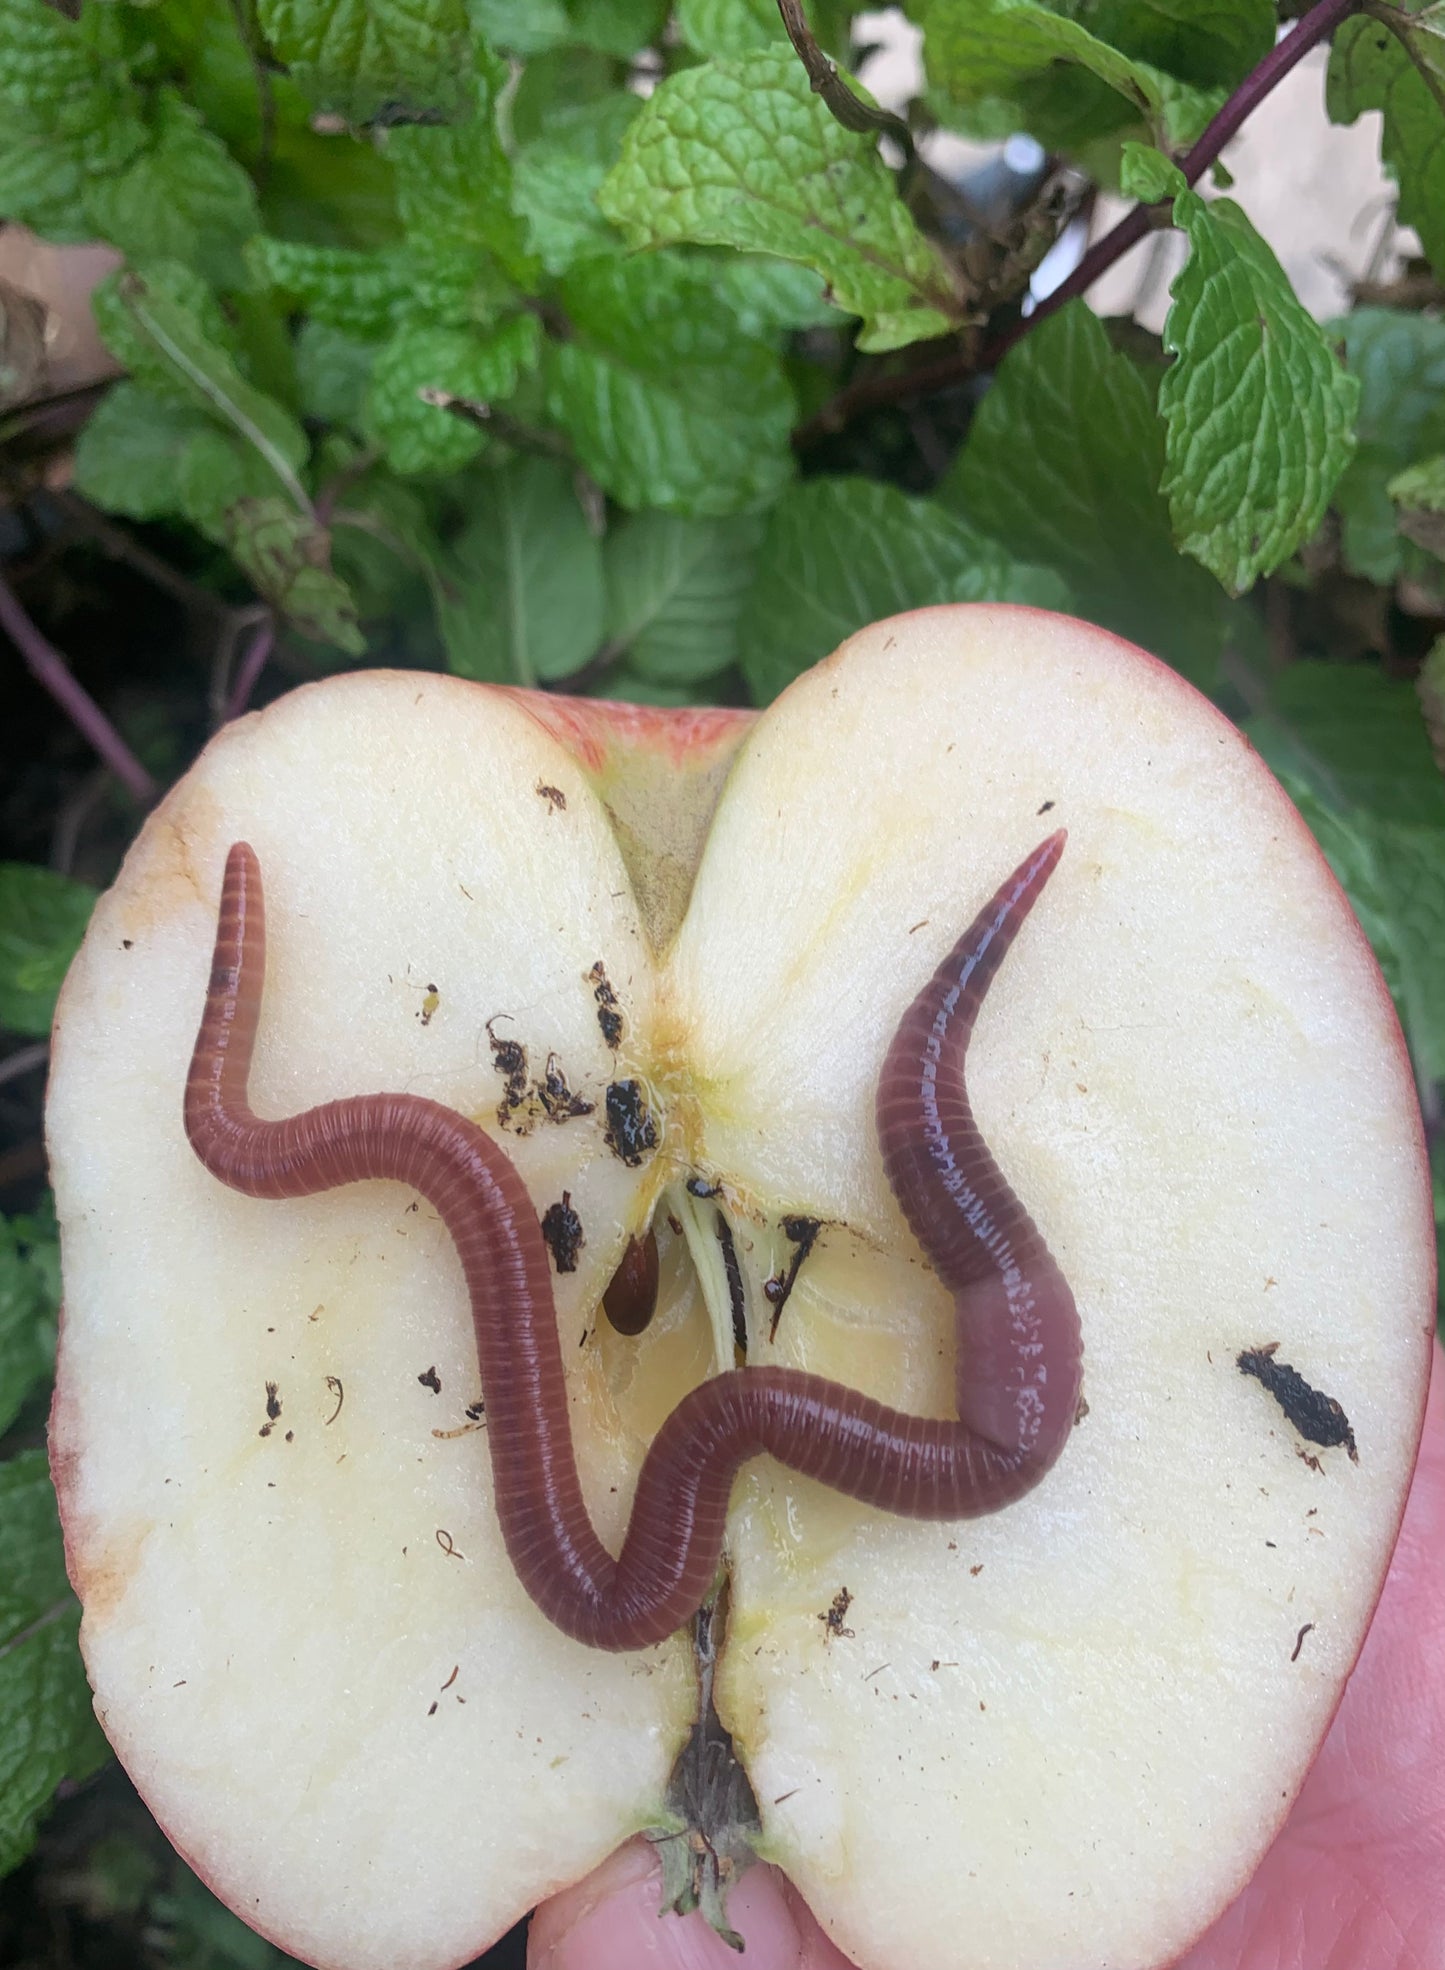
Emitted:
<point x="660" y="397"/>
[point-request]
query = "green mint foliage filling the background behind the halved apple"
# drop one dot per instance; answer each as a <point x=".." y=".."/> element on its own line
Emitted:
<point x="633" y="350"/>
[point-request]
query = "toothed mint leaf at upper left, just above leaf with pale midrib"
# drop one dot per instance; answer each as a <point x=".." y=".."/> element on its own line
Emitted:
<point x="184" y="198"/>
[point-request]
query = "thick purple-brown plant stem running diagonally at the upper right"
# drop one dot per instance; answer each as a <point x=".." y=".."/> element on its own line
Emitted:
<point x="1131" y="230"/>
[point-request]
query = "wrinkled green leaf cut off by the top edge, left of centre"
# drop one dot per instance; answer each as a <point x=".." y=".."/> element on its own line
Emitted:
<point x="361" y="58"/>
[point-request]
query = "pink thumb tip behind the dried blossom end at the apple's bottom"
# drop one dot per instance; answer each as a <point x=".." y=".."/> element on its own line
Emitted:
<point x="611" y="1922"/>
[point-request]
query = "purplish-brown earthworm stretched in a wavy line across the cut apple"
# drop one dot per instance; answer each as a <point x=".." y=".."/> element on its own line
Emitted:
<point x="1017" y="1329"/>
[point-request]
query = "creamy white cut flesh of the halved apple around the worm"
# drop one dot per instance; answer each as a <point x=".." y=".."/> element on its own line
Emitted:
<point x="1042" y="1740"/>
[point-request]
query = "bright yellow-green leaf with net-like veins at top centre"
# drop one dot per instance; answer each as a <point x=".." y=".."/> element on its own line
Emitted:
<point x="743" y="155"/>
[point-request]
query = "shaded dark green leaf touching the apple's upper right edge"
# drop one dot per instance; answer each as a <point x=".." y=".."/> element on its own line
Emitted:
<point x="1355" y="755"/>
